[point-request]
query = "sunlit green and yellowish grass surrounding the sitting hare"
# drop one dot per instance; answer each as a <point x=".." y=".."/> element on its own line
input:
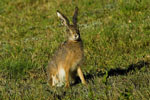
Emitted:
<point x="116" y="36"/>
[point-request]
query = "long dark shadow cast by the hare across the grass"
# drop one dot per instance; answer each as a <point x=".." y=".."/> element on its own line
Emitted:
<point x="115" y="72"/>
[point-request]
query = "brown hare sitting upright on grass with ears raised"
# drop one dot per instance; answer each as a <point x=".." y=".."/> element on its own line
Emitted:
<point x="65" y="62"/>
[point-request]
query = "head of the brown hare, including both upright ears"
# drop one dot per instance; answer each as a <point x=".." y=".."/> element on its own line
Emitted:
<point x="73" y="31"/>
